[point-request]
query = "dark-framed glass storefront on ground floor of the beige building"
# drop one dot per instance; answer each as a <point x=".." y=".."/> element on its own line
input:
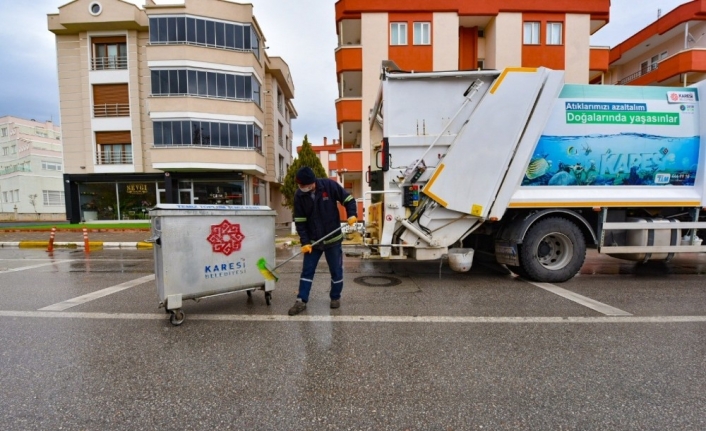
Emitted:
<point x="129" y="197"/>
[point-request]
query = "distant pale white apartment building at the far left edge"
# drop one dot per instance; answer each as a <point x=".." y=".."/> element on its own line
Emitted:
<point x="31" y="183"/>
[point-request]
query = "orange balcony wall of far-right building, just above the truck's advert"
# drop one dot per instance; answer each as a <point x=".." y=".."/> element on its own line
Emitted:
<point x="693" y="60"/>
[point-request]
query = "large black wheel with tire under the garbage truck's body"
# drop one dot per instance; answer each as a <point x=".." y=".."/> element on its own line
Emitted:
<point x="552" y="251"/>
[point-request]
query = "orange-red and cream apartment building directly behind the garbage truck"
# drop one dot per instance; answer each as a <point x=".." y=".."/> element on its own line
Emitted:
<point x="442" y="35"/>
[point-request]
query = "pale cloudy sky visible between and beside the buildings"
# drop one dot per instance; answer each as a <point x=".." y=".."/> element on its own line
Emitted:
<point x="302" y="32"/>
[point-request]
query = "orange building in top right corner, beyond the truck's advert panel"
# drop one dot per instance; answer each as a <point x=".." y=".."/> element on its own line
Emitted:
<point x="671" y="51"/>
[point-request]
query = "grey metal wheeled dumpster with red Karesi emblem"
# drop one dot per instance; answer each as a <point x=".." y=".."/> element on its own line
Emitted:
<point x="208" y="250"/>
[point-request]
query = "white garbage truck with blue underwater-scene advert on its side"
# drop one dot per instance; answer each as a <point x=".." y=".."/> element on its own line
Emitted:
<point x="522" y="165"/>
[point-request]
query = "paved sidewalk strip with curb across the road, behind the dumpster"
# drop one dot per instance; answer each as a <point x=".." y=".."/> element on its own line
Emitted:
<point x="97" y="238"/>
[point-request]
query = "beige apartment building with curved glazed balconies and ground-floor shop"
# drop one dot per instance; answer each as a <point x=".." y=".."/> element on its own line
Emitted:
<point x="174" y="103"/>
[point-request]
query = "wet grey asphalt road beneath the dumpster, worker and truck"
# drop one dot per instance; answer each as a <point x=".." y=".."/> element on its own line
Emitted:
<point x="413" y="347"/>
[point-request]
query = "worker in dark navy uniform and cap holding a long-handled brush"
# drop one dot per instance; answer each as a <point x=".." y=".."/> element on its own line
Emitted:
<point x="315" y="216"/>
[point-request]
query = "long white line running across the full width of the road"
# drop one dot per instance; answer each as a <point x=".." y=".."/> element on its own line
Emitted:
<point x="358" y="319"/>
